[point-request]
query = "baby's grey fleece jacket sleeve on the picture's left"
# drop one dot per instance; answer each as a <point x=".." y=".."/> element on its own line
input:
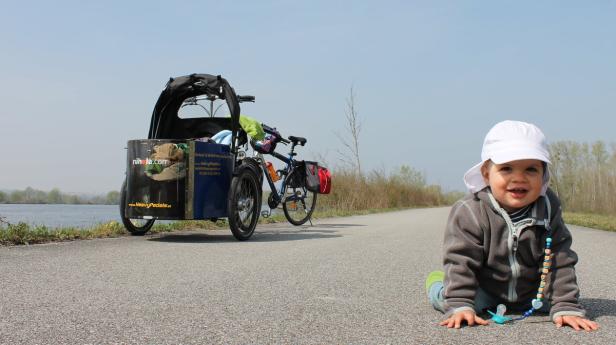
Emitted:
<point x="462" y="258"/>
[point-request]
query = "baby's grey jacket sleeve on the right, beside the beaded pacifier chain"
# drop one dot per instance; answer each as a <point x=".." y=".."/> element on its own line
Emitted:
<point x="562" y="282"/>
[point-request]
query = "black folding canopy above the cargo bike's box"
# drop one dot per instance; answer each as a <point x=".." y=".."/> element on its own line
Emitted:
<point x="166" y="124"/>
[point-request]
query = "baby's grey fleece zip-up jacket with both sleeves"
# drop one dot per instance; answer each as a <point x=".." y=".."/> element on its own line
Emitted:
<point x="484" y="249"/>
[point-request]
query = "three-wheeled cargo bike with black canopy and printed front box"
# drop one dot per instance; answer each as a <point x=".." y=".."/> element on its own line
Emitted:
<point x="183" y="171"/>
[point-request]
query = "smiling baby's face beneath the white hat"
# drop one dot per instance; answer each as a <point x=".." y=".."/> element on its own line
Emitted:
<point x="514" y="184"/>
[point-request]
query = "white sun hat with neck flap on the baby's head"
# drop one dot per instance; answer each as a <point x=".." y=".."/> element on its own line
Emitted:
<point x="509" y="141"/>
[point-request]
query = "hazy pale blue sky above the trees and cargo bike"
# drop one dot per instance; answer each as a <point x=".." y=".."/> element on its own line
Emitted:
<point x="79" y="79"/>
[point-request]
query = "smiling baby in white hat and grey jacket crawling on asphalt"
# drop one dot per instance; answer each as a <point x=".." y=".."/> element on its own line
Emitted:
<point x="506" y="242"/>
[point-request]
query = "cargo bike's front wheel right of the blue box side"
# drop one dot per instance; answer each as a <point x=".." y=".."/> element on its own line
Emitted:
<point x="244" y="204"/>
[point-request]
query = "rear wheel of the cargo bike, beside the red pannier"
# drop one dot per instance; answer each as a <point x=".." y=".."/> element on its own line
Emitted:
<point x="298" y="204"/>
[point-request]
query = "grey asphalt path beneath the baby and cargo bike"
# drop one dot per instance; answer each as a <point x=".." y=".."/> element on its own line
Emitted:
<point x="356" y="280"/>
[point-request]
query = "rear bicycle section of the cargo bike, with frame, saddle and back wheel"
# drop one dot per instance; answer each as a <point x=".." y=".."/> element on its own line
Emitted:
<point x="298" y="202"/>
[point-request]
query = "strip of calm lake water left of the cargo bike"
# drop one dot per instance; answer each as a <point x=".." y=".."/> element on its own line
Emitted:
<point x="60" y="215"/>
